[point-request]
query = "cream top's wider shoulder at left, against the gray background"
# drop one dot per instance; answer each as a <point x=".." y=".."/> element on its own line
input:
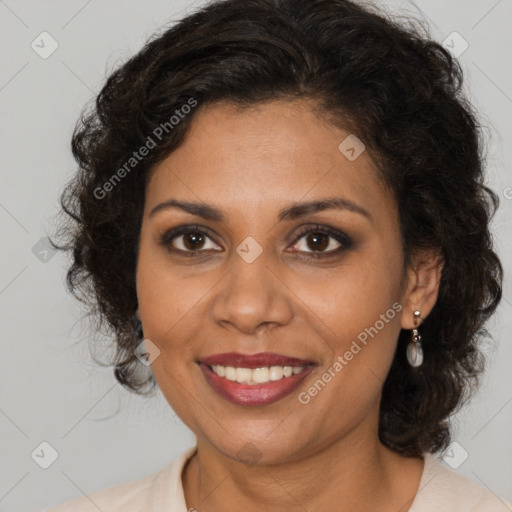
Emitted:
<point x="158" y="491"/>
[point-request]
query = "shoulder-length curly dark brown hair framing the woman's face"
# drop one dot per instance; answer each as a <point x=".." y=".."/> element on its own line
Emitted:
<point x="390" y="84"/>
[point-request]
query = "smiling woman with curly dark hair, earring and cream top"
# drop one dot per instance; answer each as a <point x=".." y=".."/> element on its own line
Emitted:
<point x="284" y="199"/>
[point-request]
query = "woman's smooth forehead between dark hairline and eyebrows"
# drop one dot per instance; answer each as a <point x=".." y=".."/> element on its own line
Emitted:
<point x="265" y="156"/>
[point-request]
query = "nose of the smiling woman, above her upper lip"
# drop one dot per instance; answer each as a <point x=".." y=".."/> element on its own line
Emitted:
<point x="252" y="297"/>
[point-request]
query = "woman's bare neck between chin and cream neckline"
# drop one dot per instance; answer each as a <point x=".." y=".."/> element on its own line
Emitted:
<point x="348" y="474"/>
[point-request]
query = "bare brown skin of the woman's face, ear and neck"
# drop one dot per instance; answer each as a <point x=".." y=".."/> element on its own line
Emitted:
<point x="251" y="163"/>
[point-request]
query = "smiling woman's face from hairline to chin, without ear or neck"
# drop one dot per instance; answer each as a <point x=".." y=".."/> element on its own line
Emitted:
<point x="255" y="284"/>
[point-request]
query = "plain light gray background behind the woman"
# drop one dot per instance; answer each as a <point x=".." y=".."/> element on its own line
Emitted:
<point x="52" y="390"/>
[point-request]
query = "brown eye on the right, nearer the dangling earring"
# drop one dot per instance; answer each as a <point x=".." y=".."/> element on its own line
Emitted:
<point x="323" y="240"/>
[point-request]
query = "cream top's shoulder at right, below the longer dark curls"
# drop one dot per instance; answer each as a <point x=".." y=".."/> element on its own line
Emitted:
<point x="442" y="489"/>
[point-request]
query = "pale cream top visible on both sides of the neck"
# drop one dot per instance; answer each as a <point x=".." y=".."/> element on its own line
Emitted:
<point x="440" y="490"/>
